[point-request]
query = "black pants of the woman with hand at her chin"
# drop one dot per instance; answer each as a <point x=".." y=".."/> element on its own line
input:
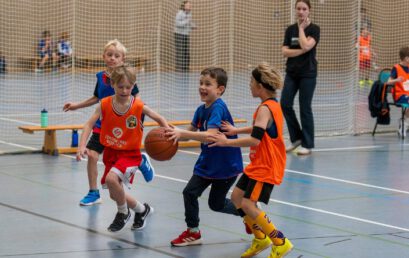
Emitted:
<point x="306" y="87"/>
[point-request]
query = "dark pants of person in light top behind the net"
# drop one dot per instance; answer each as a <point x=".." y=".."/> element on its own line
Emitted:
<point x="182" y="47"/>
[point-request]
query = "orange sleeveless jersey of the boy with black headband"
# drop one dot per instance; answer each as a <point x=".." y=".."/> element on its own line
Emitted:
<point x="268" y="157"/>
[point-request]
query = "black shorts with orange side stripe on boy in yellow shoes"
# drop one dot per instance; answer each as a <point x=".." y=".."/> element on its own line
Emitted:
<point x="255" y="190"/>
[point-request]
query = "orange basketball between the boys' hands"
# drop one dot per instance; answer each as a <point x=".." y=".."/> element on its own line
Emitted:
<point x="157" y="147"/>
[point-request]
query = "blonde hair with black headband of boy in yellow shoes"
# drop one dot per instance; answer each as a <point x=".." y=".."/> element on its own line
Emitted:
<point x="268" y="76"/>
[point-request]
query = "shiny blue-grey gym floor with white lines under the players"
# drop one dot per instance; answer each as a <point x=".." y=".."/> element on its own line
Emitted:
<point x="348" y="199"/>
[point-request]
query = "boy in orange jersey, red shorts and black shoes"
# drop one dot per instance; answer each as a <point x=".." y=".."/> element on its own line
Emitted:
<point x="121" y="134"/>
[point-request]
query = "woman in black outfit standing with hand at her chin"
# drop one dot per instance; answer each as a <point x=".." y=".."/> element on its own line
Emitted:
<point x="299" y="47"/>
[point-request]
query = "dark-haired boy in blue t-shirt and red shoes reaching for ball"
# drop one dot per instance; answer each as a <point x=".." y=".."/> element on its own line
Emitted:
<point x="218" y="167"/>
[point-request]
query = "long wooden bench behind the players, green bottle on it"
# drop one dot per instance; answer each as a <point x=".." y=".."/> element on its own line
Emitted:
<point x="50" y="137"/>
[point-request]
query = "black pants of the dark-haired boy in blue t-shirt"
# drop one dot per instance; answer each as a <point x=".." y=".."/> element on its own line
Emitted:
<point x="217" y="197"/>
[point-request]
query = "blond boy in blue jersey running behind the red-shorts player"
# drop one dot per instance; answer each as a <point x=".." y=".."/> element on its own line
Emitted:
<point x="114" y="55"/>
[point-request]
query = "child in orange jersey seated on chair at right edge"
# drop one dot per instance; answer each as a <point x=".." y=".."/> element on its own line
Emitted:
<point x="400" y="77"/>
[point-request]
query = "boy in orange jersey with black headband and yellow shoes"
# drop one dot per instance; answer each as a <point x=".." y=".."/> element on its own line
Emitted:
<point x="267" y="162"/>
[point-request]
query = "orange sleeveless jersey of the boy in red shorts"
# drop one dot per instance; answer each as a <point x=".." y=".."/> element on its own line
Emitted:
<point x="121" y="132"/>
